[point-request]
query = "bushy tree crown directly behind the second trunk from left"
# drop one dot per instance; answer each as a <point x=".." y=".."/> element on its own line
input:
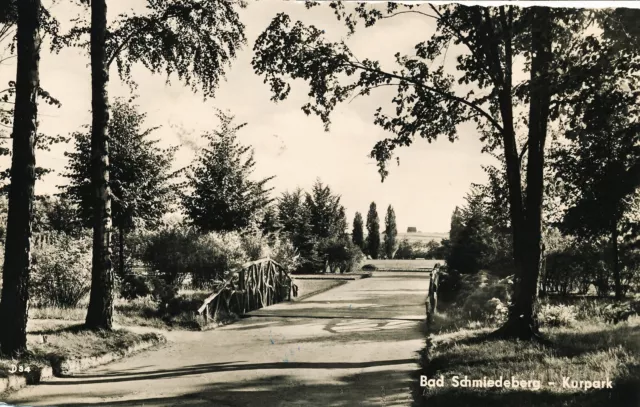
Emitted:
<point x="139" y="171"/>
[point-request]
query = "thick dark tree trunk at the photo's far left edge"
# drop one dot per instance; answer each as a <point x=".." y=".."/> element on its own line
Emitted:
<point x="15" y="289"/>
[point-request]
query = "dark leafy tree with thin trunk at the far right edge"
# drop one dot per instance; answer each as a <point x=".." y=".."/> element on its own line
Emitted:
<point x="602" y="145"/>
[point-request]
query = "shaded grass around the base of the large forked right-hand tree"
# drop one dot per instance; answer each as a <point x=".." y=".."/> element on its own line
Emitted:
<point x="588" y="350"/>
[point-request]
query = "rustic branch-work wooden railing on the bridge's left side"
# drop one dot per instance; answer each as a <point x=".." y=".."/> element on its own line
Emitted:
<point x="254" y="285"/>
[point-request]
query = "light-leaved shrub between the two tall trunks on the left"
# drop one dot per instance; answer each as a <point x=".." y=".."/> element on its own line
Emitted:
<point x="61" y="271"/>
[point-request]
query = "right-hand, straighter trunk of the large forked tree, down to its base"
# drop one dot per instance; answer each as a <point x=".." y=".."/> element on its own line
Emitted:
<point x="522" y="322"/>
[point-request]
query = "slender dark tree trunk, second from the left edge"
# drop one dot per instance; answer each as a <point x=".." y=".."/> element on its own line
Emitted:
<point x="99" y="315"/>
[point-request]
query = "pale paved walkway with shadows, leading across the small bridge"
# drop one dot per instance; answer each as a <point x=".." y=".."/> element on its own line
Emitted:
<point x="354" y="345"/>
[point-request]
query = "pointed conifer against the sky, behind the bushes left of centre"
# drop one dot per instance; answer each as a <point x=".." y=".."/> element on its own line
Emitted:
<point x="222" y="196"/>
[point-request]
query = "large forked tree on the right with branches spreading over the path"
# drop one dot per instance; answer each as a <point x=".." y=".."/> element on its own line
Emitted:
<point x="573" y="59"/>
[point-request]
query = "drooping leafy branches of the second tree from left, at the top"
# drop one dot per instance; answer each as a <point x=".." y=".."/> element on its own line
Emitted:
<point x="193" y="39"/>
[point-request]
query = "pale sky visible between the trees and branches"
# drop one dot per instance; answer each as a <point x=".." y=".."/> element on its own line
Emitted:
<point x="431" y="180"/>
